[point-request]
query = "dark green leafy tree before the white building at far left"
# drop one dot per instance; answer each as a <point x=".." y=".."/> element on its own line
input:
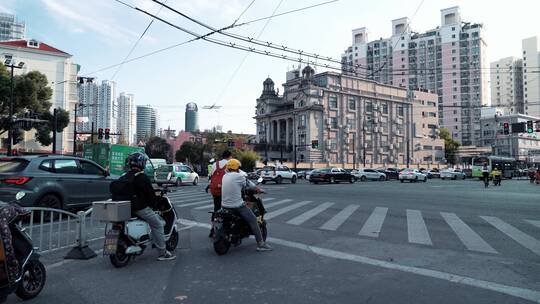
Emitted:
<point x="32" y="96"/>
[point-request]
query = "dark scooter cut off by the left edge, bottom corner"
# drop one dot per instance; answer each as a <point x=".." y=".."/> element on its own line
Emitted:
<point x="32" y="275"/>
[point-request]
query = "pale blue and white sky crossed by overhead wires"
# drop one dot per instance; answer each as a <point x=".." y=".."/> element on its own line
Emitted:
<point x="100" y="33"/>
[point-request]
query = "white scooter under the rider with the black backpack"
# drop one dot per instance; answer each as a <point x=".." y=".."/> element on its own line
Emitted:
<point x="128" y="239"/>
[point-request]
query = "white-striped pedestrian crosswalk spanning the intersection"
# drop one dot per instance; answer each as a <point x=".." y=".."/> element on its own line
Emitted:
<point x="331" y="216"/>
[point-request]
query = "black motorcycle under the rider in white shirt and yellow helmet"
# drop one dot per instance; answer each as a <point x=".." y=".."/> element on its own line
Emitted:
<point x="230" y="228"/>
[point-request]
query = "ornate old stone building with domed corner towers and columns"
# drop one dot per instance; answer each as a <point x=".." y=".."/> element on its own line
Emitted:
<point x="353" y="120"/>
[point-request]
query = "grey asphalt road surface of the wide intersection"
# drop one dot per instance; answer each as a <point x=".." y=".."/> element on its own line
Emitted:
<point x="371" y="242"/>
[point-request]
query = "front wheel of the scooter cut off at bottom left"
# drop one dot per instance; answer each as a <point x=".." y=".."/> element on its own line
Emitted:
<point x="33" y="280"/>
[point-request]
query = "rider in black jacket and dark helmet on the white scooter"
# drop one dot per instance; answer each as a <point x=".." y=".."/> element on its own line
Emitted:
<point x="145" y="197"/>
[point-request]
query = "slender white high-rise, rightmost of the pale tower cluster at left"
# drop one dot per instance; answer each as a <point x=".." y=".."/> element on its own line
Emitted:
<point x="127" y="119"/>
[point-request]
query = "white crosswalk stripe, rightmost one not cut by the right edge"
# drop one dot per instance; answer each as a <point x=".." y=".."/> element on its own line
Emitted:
<point x="468" y="237"/>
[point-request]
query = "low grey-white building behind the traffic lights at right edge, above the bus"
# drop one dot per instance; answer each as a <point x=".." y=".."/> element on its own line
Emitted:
<point x="522" y="146"/>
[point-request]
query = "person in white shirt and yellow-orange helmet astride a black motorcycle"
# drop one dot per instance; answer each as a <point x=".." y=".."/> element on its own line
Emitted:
<point x="233" y="183"/>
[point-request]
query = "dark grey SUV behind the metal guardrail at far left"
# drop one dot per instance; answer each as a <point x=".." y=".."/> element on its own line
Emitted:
<point x="54" y="181"/>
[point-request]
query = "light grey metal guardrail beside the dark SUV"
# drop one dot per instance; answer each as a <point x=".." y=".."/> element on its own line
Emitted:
<point x="55" y="229"/>
